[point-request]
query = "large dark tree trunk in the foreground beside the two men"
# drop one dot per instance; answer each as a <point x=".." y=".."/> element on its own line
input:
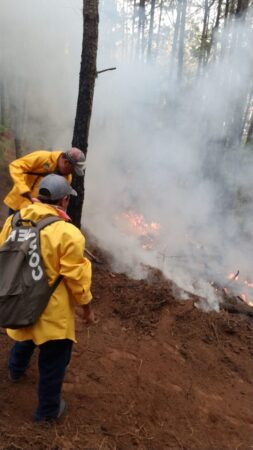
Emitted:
<point x="85" y="99"/>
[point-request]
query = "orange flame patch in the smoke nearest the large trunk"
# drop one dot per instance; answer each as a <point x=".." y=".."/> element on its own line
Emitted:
<point x="135" y="223"/>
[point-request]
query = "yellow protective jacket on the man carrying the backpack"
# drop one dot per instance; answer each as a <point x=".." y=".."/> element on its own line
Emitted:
<point x="62" y="250"/>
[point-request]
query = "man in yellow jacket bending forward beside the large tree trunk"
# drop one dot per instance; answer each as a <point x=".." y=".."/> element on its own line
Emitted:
<point x="27" y="171"/>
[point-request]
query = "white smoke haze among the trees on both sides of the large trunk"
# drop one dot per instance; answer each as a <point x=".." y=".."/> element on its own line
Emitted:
<point x="165" y="150"/>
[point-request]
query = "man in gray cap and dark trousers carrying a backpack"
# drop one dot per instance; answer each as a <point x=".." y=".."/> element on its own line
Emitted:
<point x="62" y="251"/>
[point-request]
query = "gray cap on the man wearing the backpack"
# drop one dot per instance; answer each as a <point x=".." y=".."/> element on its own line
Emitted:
<point x="57" y="187"/>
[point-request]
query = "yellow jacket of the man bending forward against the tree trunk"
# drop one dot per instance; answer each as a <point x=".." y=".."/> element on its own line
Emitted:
<point x="41" y="161"/>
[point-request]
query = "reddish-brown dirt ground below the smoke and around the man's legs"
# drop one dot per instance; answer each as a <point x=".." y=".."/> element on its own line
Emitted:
<point x="154" y="373"/>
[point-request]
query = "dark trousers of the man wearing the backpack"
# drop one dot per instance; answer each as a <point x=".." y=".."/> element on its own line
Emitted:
<point x="54" y="356"/>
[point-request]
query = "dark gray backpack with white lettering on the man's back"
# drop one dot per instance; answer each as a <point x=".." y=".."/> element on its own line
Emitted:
<point x="24" y="288"/>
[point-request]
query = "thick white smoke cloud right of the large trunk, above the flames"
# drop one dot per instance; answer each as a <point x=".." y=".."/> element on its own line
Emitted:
<point x="168" y="163"/>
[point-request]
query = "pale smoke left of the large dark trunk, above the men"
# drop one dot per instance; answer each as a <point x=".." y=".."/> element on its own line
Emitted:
<point x="40" y="51"/>
